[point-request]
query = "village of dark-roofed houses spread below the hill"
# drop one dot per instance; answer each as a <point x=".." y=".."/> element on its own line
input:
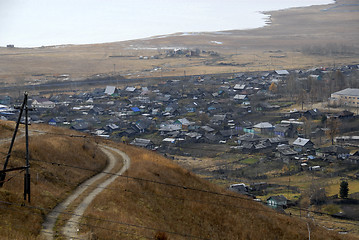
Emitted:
<point x="255" y="128"/>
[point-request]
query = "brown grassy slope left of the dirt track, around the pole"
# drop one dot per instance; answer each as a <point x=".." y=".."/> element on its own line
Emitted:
<point x="50" y="184"/>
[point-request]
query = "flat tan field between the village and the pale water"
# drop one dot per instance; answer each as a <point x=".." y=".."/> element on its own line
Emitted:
<point x="324" y="37"/>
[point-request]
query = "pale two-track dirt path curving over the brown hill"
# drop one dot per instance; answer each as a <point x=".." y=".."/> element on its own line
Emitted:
<point x="71" y="227"/>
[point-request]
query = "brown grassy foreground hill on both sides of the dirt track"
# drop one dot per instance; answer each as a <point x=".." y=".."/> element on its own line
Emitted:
<point x="154" y="196"/>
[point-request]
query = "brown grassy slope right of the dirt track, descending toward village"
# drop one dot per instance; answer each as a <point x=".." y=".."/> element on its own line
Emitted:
<point x="205" y="215"/>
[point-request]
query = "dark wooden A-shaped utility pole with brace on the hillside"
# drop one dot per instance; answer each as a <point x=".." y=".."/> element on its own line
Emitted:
<point x="26" y="168"/>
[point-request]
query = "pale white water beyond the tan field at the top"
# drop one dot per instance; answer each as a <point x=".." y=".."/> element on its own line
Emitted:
<point x="34" y="23"/>
